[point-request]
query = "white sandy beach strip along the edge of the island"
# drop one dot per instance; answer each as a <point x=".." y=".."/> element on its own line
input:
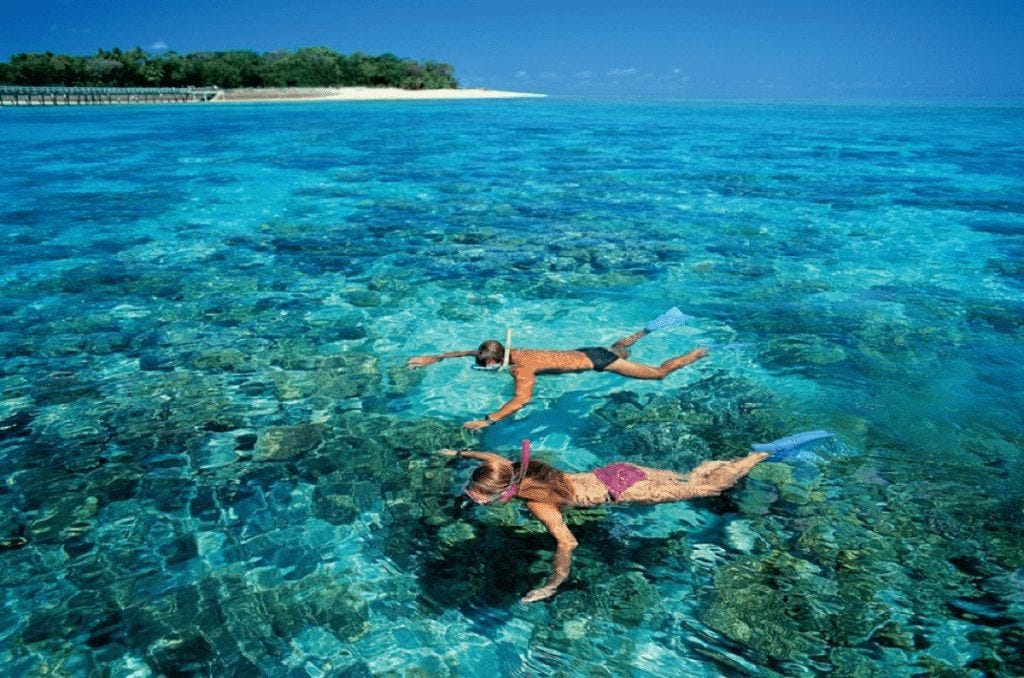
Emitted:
<point x="275" y="95"/>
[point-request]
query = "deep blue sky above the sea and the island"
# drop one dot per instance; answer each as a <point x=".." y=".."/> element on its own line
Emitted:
<point x="705" y="49"/>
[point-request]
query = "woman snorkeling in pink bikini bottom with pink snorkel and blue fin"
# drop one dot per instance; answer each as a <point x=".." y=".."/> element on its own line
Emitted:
<point x="549" y="492"/>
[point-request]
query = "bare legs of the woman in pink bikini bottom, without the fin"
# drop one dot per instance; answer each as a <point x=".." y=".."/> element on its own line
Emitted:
<point x="708" y="480"/>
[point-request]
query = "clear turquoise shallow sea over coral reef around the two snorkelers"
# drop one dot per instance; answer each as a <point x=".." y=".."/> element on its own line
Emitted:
<point x="216" y="462"/>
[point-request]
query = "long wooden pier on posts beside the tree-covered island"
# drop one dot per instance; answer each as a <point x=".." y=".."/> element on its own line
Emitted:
<point x="21" y="96"/>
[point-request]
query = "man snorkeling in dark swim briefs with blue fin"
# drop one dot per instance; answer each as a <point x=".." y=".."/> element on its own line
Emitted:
<point x="527" y="364"/>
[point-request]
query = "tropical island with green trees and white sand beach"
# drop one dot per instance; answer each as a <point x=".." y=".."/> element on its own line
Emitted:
<point x="246" y="75"/>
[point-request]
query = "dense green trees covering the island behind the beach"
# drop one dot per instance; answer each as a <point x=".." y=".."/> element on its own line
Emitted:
<point x="310" y="67"/>
